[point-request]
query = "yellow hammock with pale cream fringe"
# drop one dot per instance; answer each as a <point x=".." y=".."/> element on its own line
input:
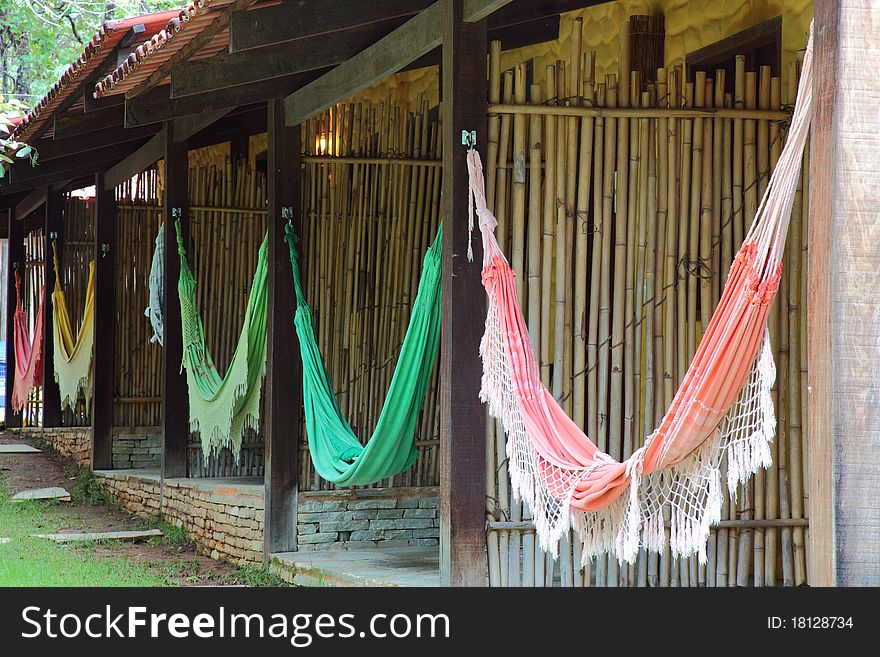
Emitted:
<point x="73" y="358"/>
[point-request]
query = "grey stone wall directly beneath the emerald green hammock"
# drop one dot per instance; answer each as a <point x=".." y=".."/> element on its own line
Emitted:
<point x="369" y="518"/>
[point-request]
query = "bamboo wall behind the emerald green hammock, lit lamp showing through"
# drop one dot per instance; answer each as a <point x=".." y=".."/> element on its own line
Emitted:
<point x="371" y="202"/>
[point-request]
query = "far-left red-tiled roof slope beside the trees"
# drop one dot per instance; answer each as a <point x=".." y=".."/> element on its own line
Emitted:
<point x="93" y="56"/>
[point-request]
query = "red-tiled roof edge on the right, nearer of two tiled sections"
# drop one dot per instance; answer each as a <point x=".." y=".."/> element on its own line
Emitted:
<point x="198" y="28"/>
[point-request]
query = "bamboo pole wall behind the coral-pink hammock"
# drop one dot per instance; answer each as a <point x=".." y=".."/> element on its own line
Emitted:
<point x="621" y="230"/>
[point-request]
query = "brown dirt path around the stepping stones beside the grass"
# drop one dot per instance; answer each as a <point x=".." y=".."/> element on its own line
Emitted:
<point x="88" y="513"/>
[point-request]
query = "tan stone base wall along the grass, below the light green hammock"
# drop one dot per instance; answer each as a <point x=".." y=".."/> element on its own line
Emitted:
<point x="224" y="518"/>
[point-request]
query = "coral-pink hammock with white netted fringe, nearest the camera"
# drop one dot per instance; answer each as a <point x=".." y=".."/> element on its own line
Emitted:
<point x="723" y="407"/>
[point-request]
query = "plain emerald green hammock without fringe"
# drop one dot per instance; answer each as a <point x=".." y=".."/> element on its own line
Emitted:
<point x="337" y="454"/>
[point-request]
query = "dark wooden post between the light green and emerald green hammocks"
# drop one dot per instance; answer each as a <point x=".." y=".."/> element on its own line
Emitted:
<point x="284" y="367"/>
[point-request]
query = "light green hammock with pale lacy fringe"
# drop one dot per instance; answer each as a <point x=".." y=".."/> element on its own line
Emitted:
<point x="220" y="409"/>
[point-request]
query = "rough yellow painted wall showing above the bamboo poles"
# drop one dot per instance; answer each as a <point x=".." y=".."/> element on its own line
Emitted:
<point x="690" y="25"/>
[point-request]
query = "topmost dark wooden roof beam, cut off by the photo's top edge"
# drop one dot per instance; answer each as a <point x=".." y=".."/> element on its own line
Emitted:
<point x="266" y="26"/>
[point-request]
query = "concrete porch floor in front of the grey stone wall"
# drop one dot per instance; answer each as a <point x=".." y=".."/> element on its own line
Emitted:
<point x="405" y="566"/>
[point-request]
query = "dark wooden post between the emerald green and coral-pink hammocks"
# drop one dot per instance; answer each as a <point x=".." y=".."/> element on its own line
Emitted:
<point x="462" y="415"/>
